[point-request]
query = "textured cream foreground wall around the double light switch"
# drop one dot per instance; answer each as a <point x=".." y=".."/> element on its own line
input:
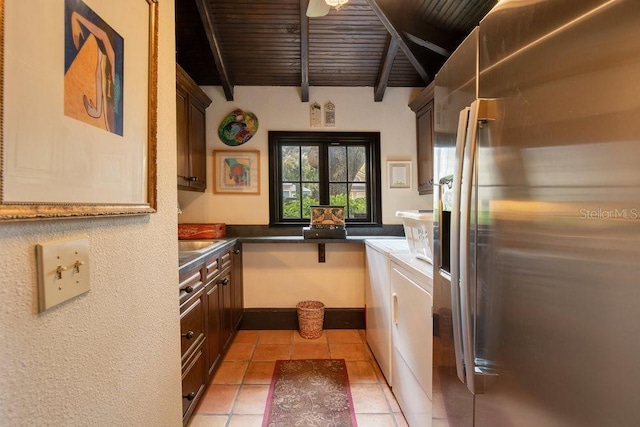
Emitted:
<point x="110" y="357"/>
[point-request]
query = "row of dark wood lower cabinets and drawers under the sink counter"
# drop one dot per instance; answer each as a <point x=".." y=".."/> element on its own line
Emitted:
<point x="209" y="317"/>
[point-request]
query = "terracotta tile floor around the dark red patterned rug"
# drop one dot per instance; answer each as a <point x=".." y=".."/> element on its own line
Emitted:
<point x="238" y="393"/>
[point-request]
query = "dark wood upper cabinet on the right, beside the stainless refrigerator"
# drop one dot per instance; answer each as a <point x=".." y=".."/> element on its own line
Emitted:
<point x="423" y="107"/>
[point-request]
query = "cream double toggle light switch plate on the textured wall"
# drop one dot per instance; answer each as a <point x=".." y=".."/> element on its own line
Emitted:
<point x="63" y="271"/>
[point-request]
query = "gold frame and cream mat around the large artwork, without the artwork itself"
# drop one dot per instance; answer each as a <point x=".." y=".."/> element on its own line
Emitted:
<point x="73" y="189"/>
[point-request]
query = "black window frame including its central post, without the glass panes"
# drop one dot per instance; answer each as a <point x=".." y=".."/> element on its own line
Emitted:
<point x="371" y="140"/>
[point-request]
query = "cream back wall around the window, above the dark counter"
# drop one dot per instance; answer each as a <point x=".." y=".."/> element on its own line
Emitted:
<point x="280" y="108"/>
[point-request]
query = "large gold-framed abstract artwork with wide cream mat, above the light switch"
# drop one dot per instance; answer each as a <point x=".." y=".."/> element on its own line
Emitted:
<point x="79" y="111"/>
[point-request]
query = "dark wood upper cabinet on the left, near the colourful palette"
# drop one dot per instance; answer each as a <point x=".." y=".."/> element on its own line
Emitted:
<point x="191" y="103"/>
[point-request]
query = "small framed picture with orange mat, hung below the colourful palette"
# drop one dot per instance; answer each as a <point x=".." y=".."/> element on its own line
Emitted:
<point x="236" y="171"/>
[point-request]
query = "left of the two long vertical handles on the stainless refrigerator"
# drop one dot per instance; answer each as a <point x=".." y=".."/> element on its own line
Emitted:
<point x="461" y="137"/>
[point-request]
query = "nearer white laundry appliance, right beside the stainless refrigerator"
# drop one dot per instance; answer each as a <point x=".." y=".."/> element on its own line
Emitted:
<point x="412" y="336"/>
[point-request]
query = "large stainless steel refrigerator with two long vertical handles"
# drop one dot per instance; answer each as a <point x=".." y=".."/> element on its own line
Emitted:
<point x="537" y="224"/>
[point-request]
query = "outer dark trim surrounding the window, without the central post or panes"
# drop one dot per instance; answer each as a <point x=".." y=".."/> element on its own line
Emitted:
<point x="275" y="193"/>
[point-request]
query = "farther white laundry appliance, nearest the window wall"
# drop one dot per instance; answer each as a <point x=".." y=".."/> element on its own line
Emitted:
<point x="378" y="299"/>
